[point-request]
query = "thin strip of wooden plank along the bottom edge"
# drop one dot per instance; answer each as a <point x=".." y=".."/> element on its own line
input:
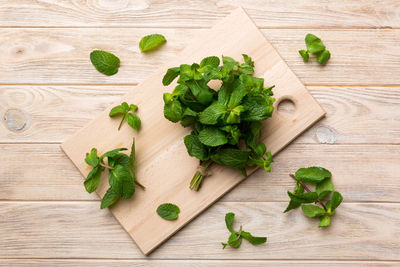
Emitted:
<point x="186" y="263"/>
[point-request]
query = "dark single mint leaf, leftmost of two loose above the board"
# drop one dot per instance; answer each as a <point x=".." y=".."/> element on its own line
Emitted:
<point x="105" y="62"/>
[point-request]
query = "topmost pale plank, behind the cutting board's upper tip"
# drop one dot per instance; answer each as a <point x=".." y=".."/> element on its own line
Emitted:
<point x="156" y="13"/>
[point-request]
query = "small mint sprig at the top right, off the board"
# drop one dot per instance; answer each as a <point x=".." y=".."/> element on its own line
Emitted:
<point x="315" y="46"/>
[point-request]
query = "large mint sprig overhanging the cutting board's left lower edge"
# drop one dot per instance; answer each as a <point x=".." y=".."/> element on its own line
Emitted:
<point x="122" y="174"/>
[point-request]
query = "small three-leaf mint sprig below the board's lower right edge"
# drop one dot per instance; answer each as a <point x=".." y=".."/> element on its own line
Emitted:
<point x="236" y="237"/>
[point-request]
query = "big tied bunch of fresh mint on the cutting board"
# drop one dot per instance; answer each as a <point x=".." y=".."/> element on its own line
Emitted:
<point x="223" y="119"/>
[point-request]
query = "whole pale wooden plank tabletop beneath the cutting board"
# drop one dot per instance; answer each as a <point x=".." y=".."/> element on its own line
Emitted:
<point x="49" y="89"/>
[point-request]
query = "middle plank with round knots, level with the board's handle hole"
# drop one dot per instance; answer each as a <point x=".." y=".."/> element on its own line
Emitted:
<point x="53" y="113"/>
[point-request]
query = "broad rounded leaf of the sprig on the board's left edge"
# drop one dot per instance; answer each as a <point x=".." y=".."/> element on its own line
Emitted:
<point x="121" y="181"/>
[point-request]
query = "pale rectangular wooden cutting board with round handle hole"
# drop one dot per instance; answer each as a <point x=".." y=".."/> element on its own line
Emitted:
<point x="164" y="166"/>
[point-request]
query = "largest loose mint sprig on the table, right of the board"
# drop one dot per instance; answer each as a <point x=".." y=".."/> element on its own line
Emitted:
<point x="322" y="179"/>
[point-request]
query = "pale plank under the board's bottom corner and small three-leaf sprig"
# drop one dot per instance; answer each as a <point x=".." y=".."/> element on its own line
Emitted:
<point x="358" y="232"/>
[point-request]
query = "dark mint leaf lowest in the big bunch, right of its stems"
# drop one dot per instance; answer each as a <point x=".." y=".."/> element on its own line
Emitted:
<point x="232" y="157"/>
